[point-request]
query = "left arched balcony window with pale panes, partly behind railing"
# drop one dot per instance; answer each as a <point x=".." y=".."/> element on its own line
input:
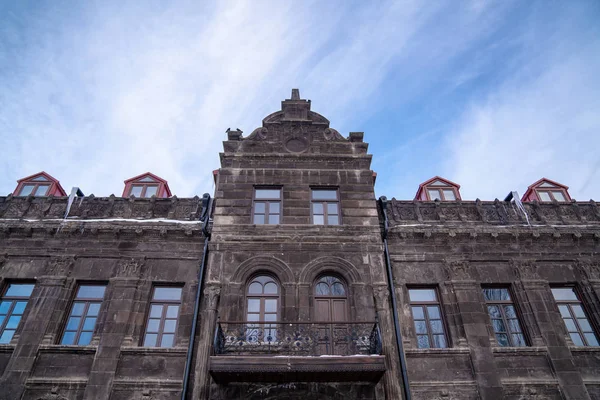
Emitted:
<point x="262" y="305"/>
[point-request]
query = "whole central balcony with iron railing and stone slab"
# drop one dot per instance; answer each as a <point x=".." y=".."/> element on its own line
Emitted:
<point x="297" y="352"/>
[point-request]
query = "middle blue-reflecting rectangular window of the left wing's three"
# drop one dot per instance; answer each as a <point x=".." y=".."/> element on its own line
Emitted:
<point x="83" y="316"/>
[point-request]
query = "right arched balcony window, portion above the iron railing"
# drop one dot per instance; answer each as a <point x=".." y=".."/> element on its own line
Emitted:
<point x="330" y="299"/>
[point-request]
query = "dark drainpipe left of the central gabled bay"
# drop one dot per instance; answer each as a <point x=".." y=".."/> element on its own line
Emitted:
<point x="205" y="218"/>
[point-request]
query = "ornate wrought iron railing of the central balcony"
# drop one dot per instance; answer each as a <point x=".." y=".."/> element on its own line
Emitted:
<point x="297" y="338"/>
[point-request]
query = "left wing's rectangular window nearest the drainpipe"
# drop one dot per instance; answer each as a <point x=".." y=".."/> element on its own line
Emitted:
<point x="163" y="317"/>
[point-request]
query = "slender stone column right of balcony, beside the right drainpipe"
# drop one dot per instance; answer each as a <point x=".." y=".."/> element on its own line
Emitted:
<point x="392" y="379"/>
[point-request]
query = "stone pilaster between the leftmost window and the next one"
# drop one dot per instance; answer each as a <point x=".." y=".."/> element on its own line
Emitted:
<point x="49" y="290"/>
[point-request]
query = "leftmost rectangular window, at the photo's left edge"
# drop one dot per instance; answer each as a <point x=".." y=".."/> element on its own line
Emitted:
<point x="12" y="307"/>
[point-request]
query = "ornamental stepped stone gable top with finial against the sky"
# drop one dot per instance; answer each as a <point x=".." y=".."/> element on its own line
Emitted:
<point x="294" y="129"/>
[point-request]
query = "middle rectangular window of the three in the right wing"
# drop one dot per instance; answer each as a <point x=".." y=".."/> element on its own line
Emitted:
<point x="504" y="317"/>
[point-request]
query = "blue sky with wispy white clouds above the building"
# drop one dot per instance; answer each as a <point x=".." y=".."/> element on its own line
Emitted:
<point x="490" y="94"/>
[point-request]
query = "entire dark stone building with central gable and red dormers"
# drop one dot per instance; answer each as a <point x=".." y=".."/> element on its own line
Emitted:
<point x="295" y="282"/>
